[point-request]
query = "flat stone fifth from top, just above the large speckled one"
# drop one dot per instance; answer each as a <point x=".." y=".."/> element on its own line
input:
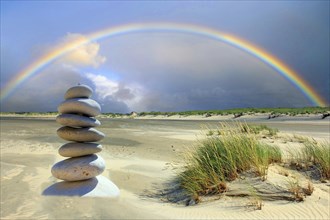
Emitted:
<point x="77" y="149"/>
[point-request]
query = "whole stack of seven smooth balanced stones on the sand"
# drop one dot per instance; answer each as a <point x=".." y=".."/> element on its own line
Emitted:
<point x="81" y="171"/>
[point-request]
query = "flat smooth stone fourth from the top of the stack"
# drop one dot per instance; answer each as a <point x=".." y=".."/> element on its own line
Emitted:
<point x="80" y="134"/>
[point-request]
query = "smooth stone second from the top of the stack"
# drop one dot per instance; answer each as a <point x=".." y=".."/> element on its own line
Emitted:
<point x="82" y="106"/>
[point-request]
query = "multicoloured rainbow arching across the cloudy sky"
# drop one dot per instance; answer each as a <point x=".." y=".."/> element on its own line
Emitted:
<point x="259" y="53"/>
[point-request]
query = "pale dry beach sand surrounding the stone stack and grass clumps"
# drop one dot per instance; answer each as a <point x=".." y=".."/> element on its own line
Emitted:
<point x="139" y="154"/>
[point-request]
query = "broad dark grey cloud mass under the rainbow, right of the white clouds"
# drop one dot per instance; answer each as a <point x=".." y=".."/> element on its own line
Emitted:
<point x="181" y="72"/>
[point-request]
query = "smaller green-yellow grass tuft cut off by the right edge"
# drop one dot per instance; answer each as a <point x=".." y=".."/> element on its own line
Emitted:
<point x="313" y="153"/>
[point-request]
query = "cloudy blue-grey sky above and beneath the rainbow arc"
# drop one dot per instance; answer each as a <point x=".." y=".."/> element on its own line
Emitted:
<point x="164" y="70"/>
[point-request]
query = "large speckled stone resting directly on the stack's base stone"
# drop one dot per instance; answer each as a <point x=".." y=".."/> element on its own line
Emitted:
<point x="79" y="168"/>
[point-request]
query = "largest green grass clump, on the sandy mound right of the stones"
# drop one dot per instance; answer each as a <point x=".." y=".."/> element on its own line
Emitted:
<point x="219" y="159"/>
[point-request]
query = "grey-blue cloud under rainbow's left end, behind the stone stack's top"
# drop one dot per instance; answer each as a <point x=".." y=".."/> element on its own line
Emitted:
<point x="45" y="92"/>
